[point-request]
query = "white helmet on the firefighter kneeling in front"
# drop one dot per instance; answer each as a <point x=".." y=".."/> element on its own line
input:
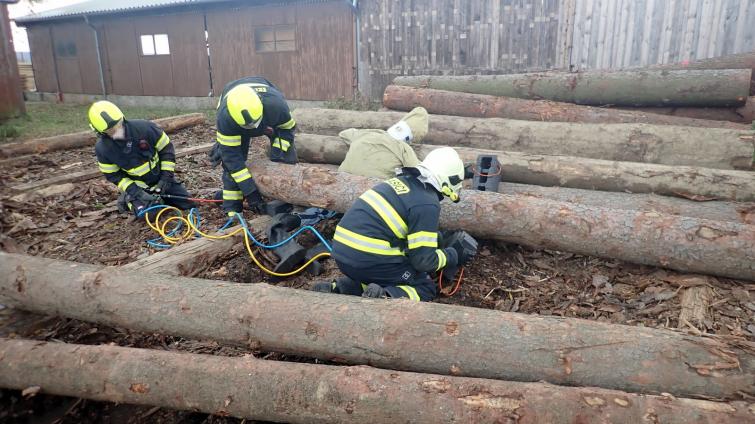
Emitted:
<point x="446" y="171"/>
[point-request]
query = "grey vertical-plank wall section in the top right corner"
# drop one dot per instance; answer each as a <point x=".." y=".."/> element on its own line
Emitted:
<point x="612" y="34"/>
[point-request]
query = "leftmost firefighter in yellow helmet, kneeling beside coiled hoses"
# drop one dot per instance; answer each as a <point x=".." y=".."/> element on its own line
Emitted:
<point x="138" y="157"/>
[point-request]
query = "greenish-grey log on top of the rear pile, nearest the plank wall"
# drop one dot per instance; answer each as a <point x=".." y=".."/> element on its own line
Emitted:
<point x="725" y="87"/>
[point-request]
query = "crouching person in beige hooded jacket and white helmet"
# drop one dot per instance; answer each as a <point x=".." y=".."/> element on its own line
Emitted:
<point x="378" y="153"/>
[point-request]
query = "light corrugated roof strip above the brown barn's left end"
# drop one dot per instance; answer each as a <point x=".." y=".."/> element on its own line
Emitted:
<point x="99" y="7"/>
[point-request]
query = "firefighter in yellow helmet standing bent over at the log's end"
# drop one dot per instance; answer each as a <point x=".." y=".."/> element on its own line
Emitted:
<point x="250" y="107"/>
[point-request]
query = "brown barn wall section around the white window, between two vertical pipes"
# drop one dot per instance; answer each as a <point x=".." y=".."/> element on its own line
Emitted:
<point x="184" y="72"/>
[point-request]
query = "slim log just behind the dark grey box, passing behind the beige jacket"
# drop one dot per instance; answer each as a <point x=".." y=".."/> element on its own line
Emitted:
<point x="576" y="172"/>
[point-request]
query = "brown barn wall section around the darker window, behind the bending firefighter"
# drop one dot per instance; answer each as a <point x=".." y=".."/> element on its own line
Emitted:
<point x="321" y="67"/>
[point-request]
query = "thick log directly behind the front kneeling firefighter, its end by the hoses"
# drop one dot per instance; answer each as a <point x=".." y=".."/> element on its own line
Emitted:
<point x="682" y="243"/>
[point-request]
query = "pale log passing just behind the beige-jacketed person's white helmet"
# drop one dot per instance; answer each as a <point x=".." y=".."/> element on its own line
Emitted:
<point x="667" y="145"/>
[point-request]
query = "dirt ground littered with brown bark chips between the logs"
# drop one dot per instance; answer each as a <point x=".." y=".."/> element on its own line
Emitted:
<point x="80" y="224"/>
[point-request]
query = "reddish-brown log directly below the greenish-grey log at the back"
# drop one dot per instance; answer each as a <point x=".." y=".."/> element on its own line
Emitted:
<point x="483" y="106"/>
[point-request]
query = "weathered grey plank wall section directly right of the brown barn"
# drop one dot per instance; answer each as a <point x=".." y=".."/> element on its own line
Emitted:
<point x="455" y="37"/>
